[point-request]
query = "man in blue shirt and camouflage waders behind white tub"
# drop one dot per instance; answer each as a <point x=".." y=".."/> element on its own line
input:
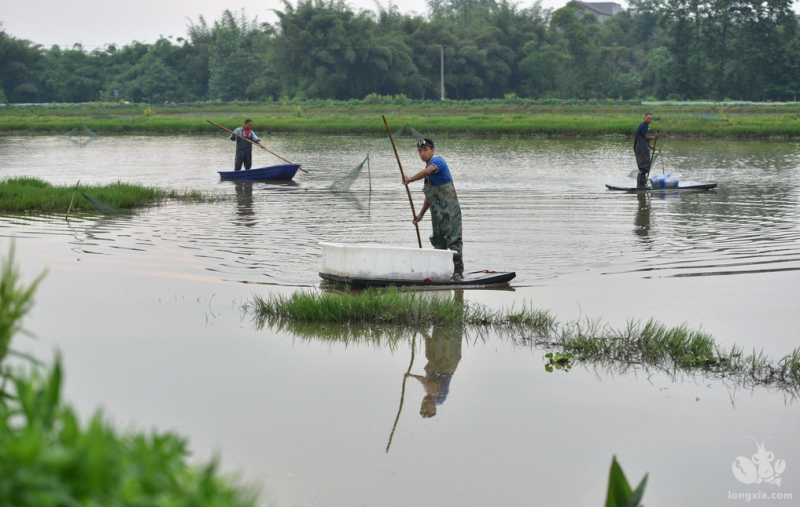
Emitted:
<point x="441" y="198"/>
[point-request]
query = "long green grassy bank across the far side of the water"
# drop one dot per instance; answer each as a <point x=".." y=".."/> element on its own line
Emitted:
<point x="435" y="119"/>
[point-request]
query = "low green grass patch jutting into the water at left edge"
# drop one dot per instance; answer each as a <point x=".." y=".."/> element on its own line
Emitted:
<point x="24" y="194"/>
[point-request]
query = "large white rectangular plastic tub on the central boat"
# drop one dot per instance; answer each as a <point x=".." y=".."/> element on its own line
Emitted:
<point x="386" y="262"/>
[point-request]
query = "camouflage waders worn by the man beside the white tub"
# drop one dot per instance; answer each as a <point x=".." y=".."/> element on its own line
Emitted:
<point x="446" y="220"/>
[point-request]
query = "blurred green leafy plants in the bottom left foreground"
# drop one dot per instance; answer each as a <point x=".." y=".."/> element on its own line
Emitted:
<point x="49" y="459"/>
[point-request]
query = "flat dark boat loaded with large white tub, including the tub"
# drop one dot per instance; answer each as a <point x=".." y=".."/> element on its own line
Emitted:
<point x="364" y="265"/>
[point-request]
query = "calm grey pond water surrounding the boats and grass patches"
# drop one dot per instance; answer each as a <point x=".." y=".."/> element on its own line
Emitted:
<point x="147" y="311"/>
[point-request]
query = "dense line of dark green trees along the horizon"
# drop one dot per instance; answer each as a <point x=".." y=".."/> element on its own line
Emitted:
<point x="324" y="49"/>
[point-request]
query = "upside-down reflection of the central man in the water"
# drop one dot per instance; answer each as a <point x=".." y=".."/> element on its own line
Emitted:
<point x="443" y="351"/>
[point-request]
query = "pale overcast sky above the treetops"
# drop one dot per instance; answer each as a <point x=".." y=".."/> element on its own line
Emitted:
<point x="95" y="23"/>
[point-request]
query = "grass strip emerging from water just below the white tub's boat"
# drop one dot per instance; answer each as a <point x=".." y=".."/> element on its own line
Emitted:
<point x="648" y="345"/>
